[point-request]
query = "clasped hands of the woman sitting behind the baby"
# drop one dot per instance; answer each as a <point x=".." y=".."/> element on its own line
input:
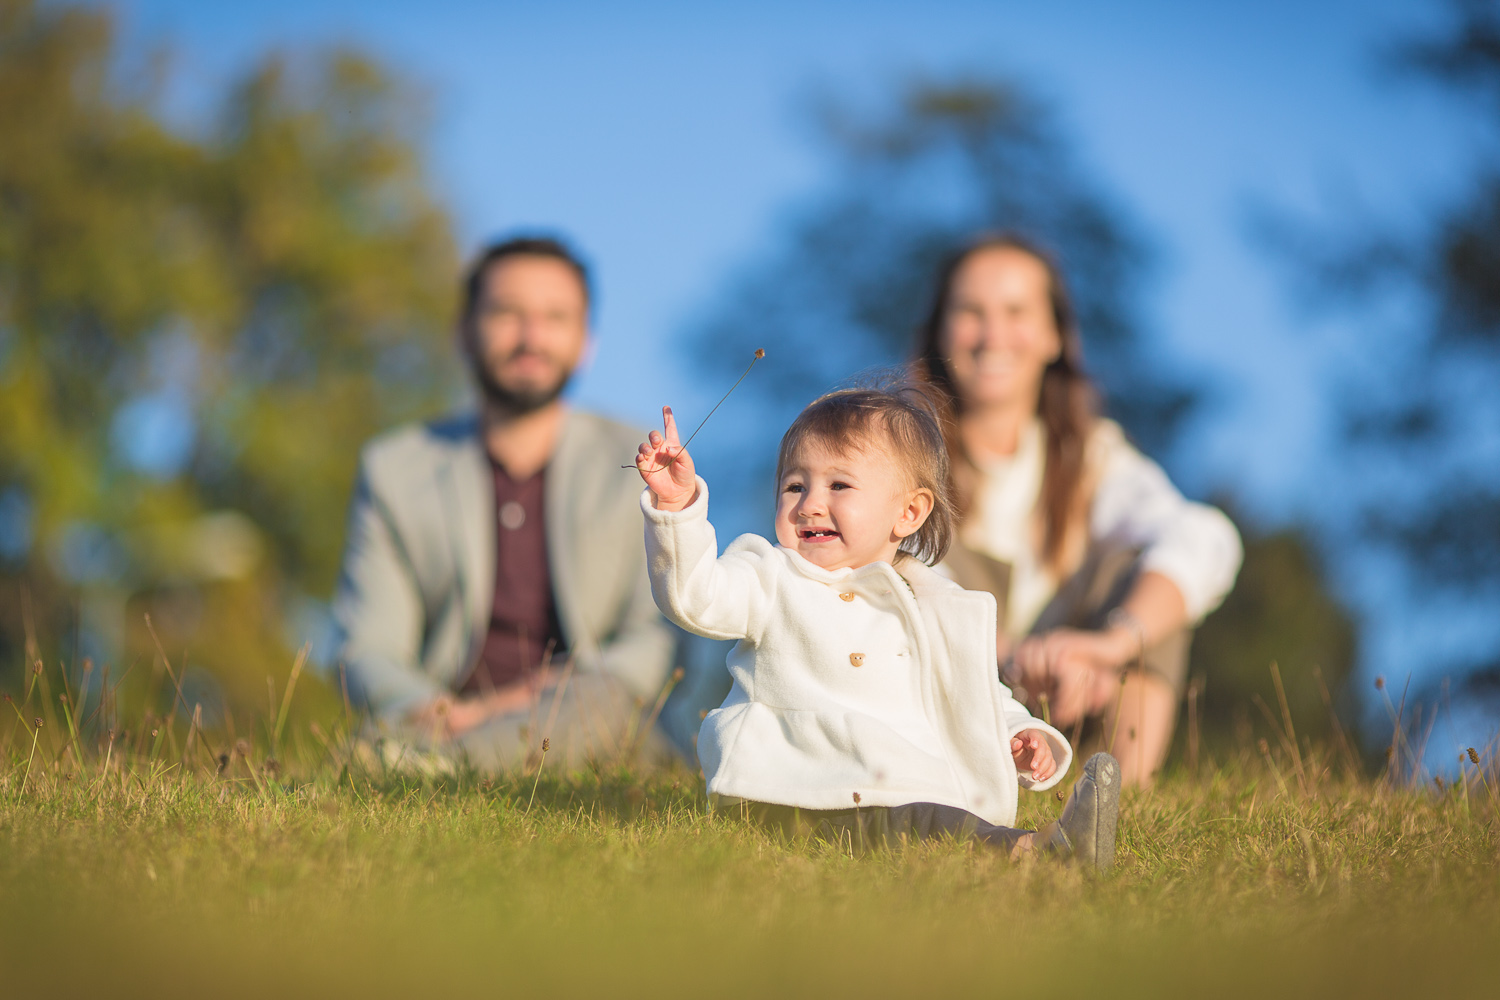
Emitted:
<point x="1078" y="669"/>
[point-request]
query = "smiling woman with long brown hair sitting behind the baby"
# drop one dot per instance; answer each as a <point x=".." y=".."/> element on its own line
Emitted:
<point x="1099" y="564"/>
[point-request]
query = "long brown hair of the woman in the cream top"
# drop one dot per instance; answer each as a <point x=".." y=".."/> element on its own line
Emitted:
<point x="1067" y="406"/>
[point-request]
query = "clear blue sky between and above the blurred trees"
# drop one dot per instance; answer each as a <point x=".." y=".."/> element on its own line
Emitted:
<point x="665" y="140"/>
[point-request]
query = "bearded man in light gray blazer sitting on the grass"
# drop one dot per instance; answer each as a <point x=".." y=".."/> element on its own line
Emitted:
<point x="494" y="588"/>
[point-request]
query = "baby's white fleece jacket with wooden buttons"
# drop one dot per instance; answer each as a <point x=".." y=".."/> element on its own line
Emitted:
<point x="844" y="681"/>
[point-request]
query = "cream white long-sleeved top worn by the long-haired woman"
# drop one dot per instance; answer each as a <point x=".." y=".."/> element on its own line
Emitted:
<point x="1135" y="504"/>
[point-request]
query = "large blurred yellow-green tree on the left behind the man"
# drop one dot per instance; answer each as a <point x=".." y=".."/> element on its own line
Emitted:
<point x="199" y="329"/>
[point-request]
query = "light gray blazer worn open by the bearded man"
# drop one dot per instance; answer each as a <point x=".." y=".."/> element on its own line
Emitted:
<point x="419" y="563"/>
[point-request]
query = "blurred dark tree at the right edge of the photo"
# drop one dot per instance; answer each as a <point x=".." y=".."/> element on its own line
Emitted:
<point x="1420" y="409"/>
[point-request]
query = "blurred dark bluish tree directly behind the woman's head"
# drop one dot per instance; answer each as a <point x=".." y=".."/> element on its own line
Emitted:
<point x="919" y="172"/>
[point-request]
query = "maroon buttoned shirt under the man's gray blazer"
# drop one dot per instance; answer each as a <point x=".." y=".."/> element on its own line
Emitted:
<point x="523" y="620"/>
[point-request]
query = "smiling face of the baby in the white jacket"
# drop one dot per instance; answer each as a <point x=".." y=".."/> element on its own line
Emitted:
<point x="847" y="510"/>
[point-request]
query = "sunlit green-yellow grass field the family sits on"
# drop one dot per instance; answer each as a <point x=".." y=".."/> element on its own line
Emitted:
<point x="137" y="869"/>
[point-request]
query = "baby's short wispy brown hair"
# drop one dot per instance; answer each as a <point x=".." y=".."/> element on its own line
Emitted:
<point x="901" y="419"/>
